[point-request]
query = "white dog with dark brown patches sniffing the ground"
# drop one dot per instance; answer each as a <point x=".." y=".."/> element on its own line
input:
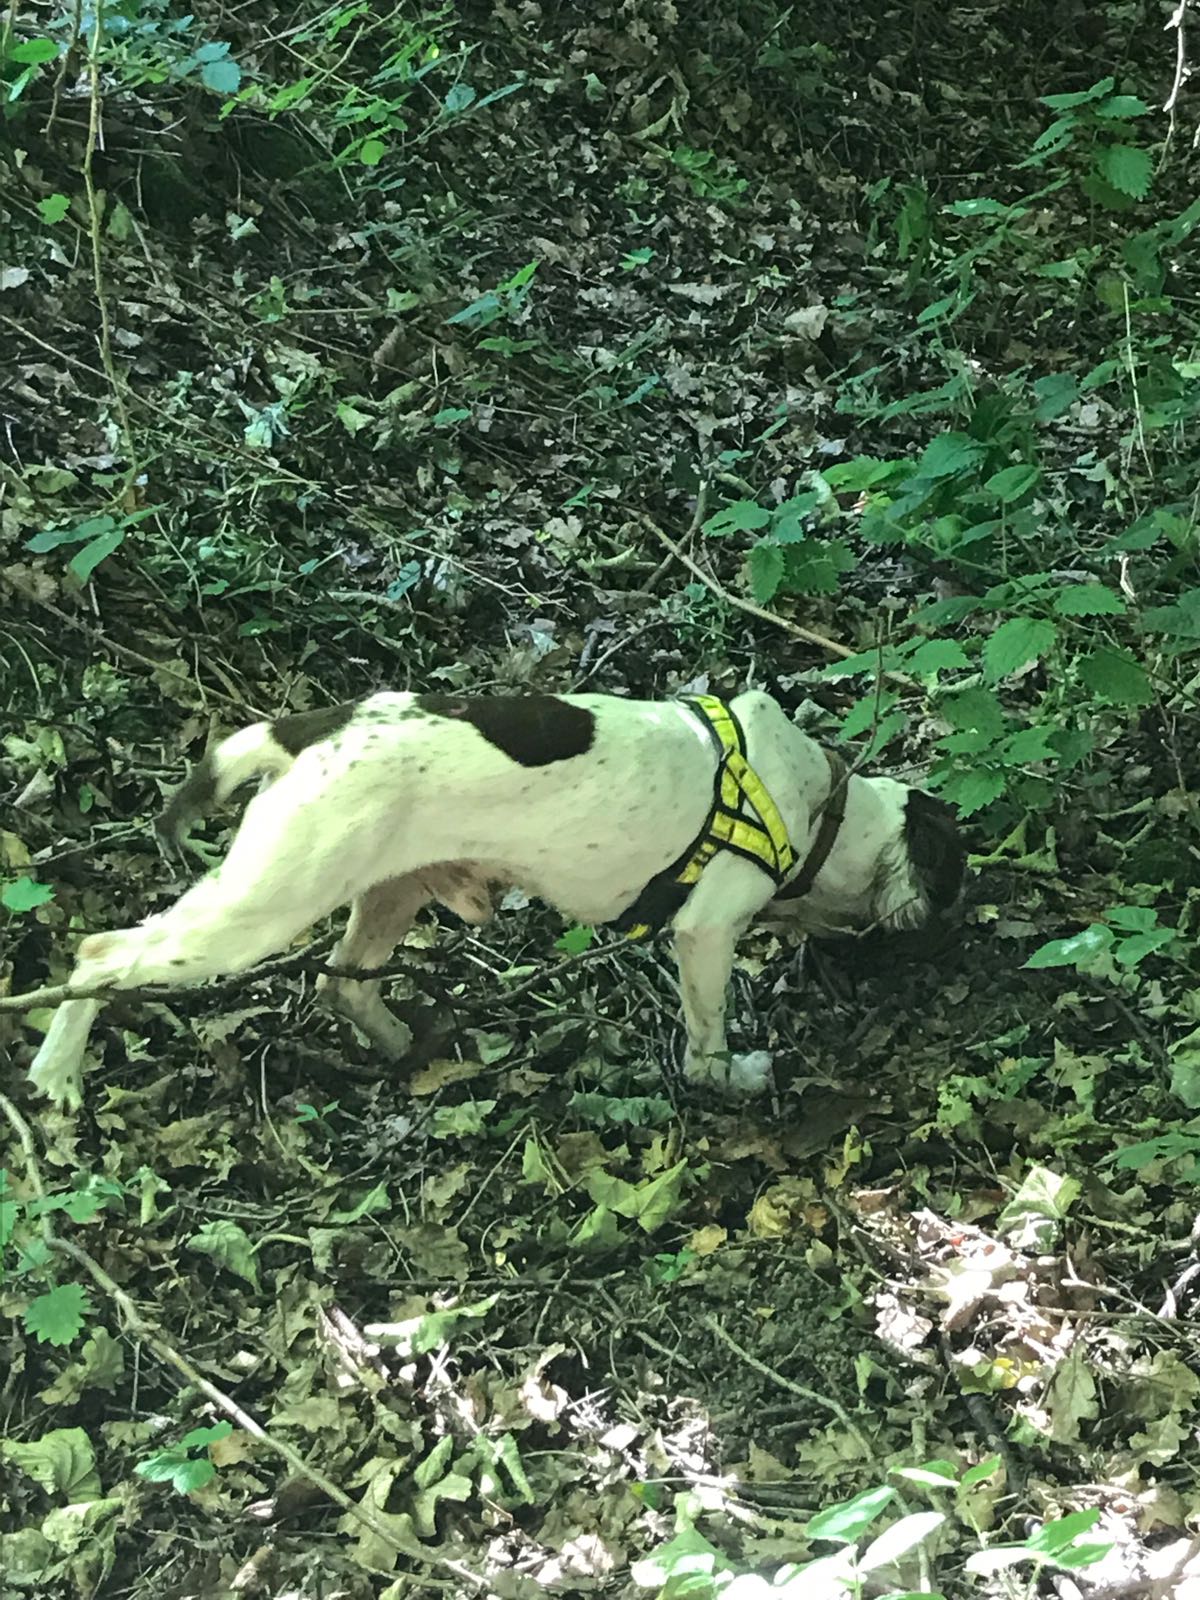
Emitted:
<point x="404" y="799"/>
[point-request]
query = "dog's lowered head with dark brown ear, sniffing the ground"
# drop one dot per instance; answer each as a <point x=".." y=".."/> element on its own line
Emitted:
<point x="921" y="870"/>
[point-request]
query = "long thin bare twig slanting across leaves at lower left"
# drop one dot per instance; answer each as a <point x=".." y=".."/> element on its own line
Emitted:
<point x="150" y="1335"/>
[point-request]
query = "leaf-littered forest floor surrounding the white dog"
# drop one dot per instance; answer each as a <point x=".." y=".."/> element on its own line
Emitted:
<point x="551" y="1319"/>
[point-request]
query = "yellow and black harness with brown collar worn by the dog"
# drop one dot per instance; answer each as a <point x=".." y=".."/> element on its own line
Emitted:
<point x="743" y="822"/>
